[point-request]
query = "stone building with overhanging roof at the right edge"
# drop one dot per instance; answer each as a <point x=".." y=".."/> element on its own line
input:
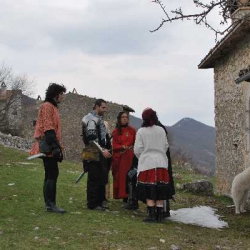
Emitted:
<point x="230" y="59"/>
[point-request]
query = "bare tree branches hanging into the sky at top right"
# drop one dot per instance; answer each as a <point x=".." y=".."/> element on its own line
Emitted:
<point x="205" y="8"/>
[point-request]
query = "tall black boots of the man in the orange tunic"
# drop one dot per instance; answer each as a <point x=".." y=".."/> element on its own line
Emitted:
<point x="50" y="197"/>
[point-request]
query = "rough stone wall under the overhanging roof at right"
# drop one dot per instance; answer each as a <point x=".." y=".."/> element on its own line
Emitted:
<point x="231" y="116"/>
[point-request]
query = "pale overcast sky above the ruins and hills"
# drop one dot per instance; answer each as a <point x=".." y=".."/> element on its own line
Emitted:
<point x="104" y="49"/>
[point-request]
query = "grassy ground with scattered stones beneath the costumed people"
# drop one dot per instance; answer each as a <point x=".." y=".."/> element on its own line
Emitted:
<point x="25" y="225"/>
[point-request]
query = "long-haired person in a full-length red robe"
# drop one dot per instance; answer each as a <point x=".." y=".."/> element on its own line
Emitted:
<point x="122" y="143"/>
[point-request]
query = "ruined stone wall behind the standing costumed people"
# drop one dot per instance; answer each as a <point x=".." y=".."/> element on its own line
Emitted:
<point x="71" y="110"/>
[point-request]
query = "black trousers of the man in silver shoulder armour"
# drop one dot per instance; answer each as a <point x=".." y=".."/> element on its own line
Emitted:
<point x="95" y="183"/>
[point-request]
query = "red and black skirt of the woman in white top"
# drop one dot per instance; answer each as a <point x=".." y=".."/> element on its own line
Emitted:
<point x="153" y="184"/>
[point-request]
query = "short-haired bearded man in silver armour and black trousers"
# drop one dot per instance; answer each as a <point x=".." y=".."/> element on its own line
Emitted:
<point x="95" y="140"/>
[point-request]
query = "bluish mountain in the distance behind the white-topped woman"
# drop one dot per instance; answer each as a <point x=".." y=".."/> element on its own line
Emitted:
<point x="192" y="140"/>
